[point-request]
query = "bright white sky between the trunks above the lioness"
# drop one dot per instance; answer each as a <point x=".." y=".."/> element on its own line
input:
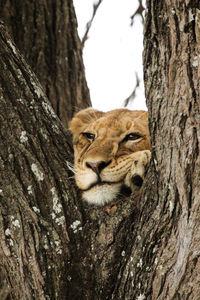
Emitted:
<point x="113" y="52"/>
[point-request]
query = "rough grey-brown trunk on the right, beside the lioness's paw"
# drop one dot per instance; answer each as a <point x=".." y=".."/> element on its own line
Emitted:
<point x="166" y="254"/>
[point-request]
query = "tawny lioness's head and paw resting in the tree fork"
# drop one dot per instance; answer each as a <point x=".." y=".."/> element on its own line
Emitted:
<point x="111" y="150"/>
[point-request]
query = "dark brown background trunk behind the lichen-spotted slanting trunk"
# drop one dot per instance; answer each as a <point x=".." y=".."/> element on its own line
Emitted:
<point x="45" y="33"/>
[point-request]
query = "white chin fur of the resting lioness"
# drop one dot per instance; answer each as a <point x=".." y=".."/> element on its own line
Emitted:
<point x="100" y="195"/>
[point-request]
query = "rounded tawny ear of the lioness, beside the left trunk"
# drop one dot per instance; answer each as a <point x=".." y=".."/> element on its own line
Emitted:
<point x="82" y="119"/>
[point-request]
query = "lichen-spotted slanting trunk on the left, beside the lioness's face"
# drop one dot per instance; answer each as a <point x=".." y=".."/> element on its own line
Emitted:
<point x="34" y="187"/>
